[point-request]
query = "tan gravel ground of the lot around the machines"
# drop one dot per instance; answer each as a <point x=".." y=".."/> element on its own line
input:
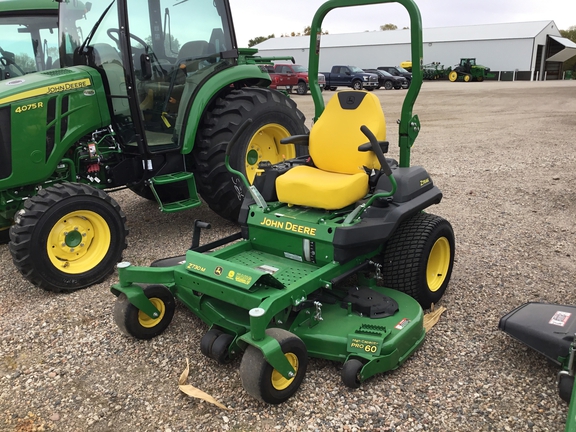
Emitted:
<point x="504" y="156"/>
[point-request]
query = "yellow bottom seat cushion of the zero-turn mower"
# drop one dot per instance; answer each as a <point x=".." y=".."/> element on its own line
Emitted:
<point x="311" y="187"/>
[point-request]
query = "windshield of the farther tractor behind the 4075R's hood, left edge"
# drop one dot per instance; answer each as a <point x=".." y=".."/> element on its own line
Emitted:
<point x="28" y="44"/>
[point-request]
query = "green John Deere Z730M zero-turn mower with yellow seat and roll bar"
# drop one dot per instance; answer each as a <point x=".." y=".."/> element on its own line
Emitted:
<point x="335" y="258"/>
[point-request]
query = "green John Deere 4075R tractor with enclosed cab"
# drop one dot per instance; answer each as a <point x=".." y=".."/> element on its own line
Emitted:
<point x="148" y="96"/>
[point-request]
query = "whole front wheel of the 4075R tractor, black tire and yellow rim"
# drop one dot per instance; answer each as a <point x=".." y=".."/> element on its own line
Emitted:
<point x="67" y="237"/>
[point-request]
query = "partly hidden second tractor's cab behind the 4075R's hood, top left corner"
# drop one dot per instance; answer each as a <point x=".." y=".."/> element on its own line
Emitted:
<point x="29" y="36"/>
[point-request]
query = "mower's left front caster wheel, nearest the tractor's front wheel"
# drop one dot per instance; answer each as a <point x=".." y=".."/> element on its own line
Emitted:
<point x="133" y="322"/>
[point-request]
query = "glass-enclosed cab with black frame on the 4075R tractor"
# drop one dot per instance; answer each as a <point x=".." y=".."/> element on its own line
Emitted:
<point x="152" y="56"/>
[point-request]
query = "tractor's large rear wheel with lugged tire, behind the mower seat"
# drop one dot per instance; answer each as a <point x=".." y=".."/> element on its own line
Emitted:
<point x="274" y="117"/>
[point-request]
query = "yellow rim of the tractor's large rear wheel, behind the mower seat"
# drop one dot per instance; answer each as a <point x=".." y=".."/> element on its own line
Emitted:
<point x="265" y="145"/>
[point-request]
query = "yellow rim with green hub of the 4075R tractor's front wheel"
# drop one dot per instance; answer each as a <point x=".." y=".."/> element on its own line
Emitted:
<point x="78" y="242"/>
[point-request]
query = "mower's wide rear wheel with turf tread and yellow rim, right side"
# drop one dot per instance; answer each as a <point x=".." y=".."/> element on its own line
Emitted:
<point x="419" y="257"/>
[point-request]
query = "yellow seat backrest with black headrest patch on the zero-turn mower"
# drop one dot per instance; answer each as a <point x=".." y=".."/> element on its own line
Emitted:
<point x="335" y="137"/>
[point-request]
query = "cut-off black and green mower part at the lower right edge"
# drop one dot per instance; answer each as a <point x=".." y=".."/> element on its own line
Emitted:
<point x="549" y="329"/>
